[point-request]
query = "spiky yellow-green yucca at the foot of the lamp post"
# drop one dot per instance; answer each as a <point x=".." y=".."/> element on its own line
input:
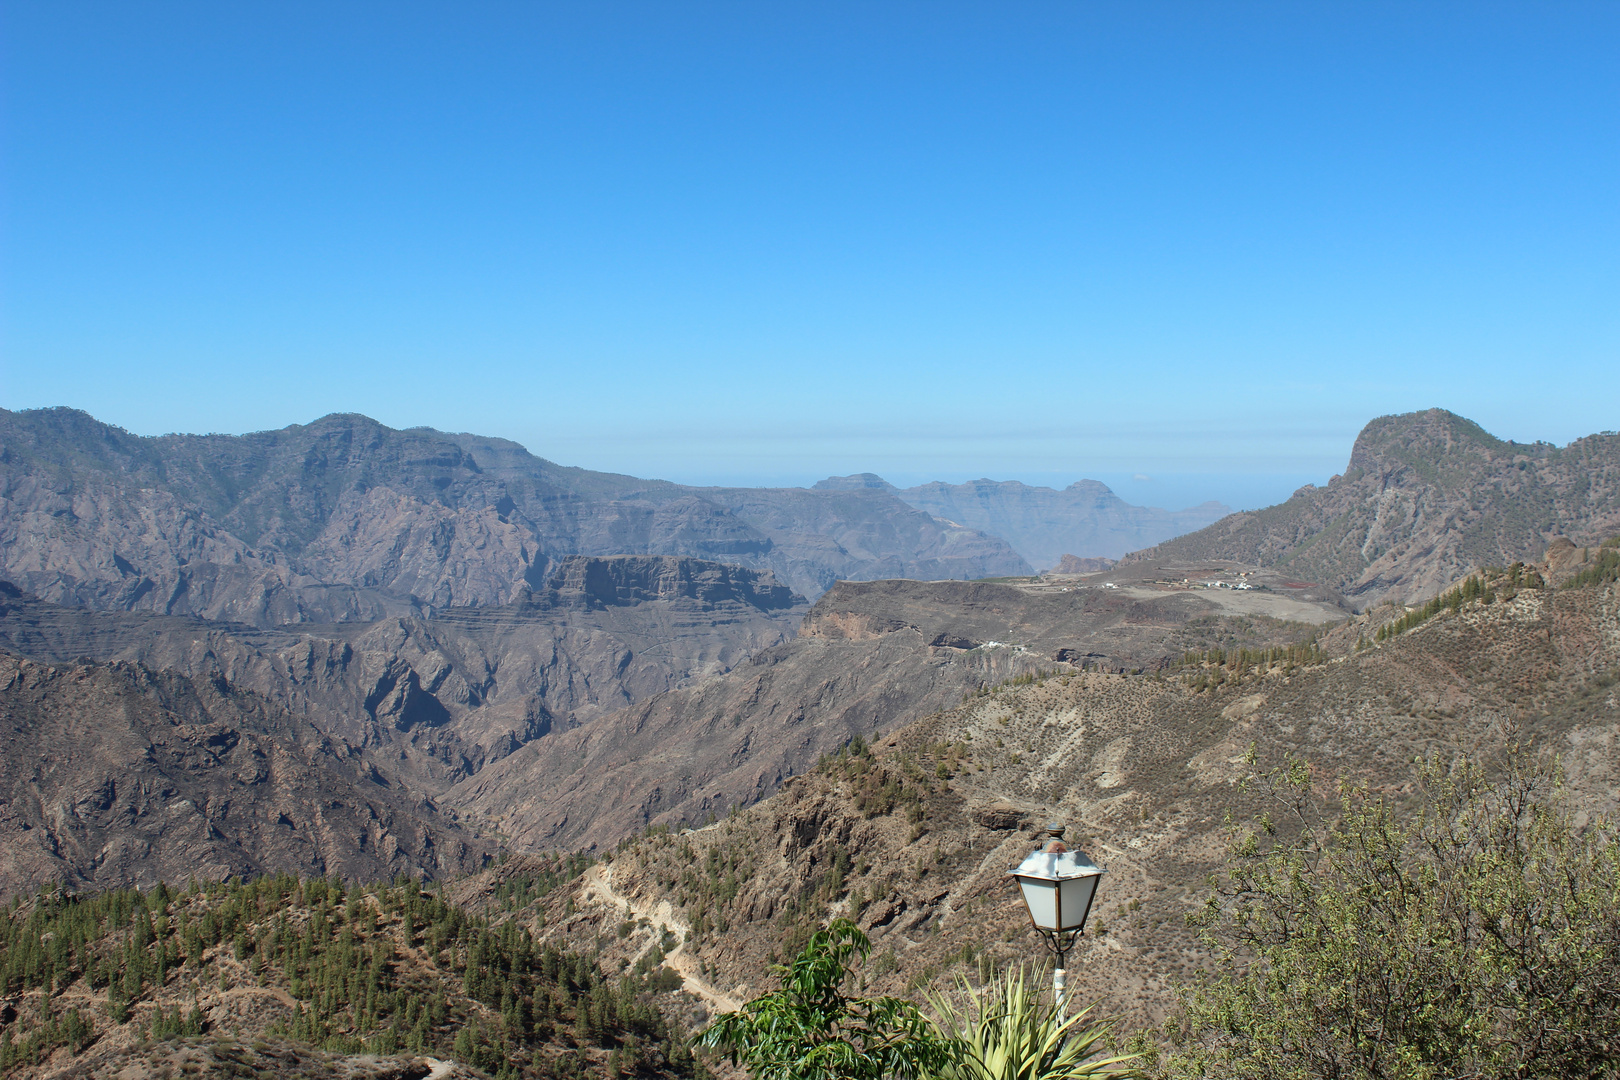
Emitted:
<point x="1010" y="1031"/>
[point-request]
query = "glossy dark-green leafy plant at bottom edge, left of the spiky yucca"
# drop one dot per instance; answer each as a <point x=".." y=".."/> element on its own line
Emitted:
<point x="811" y="1031"/>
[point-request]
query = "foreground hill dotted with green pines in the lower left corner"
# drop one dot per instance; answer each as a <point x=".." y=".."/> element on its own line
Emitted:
<point x="390" y="982"/>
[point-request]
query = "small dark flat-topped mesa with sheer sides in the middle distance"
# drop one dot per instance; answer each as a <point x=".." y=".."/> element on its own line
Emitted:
<point x="626" y="580"/>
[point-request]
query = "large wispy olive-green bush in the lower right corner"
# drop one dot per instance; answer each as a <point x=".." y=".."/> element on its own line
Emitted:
<point x="1475" y="933"/>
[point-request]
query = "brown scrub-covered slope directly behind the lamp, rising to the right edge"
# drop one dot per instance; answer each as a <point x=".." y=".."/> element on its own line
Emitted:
<point x="916" y="840"/>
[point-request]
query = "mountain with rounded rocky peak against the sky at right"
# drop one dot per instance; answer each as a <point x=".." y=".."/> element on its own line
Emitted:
<point x="1426" y="500"/>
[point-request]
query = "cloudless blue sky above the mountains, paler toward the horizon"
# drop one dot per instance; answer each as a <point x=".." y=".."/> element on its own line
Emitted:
<point x="1185" y="249"/>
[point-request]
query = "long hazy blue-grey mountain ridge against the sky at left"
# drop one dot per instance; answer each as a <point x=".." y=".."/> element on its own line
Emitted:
<point x="347" y="519"/>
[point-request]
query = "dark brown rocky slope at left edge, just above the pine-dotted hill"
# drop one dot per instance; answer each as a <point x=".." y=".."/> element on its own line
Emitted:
<point x="117" y="775"/>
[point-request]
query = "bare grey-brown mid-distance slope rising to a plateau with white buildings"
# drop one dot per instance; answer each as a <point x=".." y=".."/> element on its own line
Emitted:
<point x="869" y="658"/>
